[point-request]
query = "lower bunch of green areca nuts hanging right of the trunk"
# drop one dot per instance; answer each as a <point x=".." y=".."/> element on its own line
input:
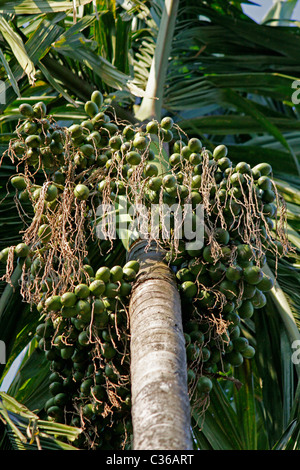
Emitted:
<point x="223" y="295"/>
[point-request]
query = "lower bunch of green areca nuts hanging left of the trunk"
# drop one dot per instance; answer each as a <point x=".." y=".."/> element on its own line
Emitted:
<point x="84" y="336"/>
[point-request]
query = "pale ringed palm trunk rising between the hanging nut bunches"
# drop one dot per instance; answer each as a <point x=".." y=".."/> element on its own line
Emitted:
<point x="160" y="402"/>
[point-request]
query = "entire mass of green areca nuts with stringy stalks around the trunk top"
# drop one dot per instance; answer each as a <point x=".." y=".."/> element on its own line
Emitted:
<point x="64" y="173"/>
